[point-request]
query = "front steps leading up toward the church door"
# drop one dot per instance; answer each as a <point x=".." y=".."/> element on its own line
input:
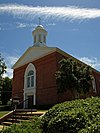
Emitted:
<point x="19" y="115"/>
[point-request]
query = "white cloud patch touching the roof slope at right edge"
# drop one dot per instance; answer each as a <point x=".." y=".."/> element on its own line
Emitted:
<point x="93" y="62"/>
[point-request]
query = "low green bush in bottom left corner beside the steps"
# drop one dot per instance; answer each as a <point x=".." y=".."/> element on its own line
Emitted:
<point x="32" y="126"/>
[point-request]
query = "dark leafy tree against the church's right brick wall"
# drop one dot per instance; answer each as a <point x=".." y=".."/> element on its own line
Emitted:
<point x="73" y="76"/>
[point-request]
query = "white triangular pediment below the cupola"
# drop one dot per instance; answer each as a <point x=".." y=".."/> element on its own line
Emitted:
<point x="33" y="53"/>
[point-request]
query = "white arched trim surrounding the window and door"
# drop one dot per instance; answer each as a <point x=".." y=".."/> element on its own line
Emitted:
<point x="30" y="91"/>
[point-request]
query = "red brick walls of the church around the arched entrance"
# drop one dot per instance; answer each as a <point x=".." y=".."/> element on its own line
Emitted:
<point x="46" y="90"/>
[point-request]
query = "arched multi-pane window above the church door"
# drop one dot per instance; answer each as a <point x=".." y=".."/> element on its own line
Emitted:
<point x="30" y="79"/>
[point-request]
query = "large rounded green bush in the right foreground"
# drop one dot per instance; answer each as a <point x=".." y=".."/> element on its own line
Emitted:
<point x="79" y="116"/>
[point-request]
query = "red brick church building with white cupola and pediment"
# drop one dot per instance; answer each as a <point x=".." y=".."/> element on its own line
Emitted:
<point x="34" y="73"/>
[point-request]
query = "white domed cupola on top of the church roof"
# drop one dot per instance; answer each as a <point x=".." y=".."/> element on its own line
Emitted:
<point x="39" y="35"/>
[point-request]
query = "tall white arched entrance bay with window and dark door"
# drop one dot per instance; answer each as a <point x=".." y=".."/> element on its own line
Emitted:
<point x="30" y="86"/>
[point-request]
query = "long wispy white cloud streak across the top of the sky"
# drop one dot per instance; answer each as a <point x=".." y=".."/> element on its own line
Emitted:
<point x="62" y="13"/>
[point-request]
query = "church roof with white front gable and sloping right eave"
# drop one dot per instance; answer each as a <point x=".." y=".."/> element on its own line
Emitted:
<point x="33" y="53"/>
